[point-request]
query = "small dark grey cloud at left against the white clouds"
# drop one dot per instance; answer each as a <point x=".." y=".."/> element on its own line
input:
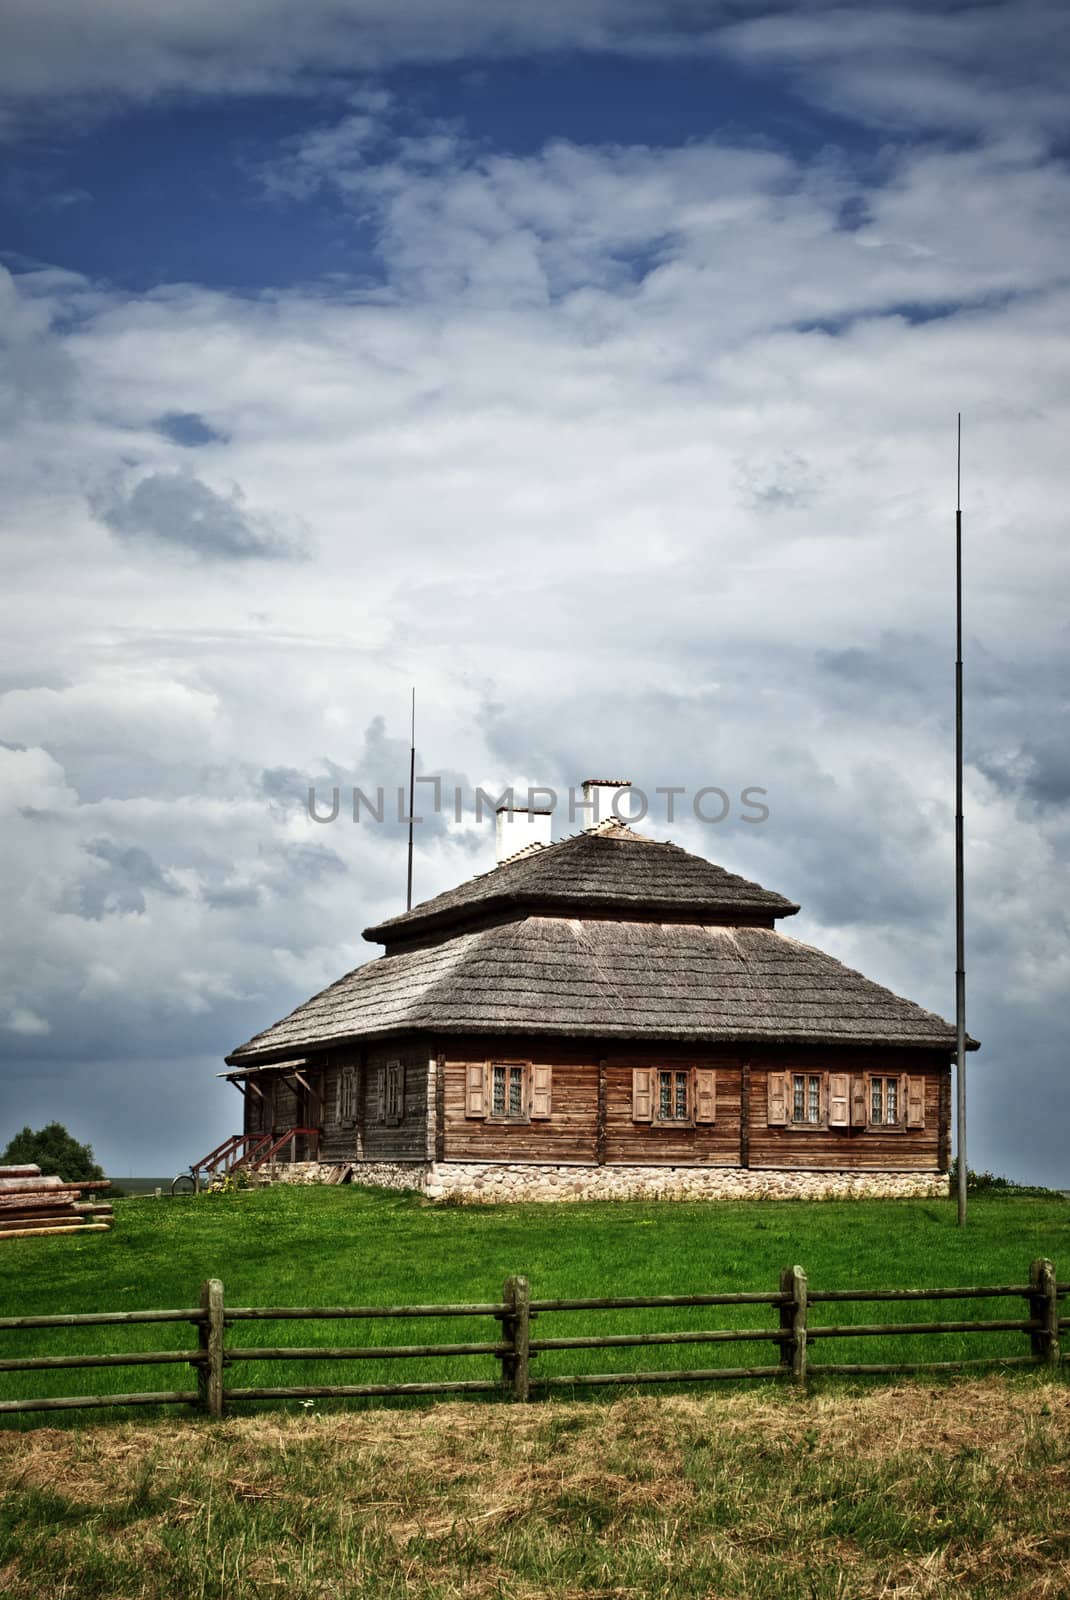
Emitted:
<point x="178" y="510"/>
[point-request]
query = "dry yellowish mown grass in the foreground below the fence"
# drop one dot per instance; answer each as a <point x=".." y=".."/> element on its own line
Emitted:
<point x="896" y="1492"/>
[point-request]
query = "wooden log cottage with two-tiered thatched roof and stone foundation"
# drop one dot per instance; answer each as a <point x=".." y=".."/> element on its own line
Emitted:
<point x="605" y="1017"/>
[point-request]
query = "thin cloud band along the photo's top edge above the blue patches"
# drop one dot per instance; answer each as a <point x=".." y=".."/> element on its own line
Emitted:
<point x="980" y="68"/>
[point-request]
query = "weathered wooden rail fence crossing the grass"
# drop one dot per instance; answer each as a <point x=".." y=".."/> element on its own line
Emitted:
<point x="516" y="1348"/>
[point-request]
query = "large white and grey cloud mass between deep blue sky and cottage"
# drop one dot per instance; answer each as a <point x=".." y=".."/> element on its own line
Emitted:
<point x="589" y="474"/>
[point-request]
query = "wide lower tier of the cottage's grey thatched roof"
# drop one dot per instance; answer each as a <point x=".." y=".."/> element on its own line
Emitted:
<point x="629" y="980"/>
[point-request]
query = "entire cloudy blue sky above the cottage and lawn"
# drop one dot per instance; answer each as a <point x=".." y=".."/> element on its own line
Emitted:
<point x="593" y="367"/>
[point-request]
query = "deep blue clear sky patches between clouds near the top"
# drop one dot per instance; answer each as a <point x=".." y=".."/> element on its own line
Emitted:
<point x="174" y="193"/>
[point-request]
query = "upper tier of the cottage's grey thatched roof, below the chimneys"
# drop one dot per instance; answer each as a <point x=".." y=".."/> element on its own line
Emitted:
<point x="609" y="868"/>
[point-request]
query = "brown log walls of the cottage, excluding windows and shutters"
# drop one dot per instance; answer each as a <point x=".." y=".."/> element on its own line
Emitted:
<point x="591" y="1111"/>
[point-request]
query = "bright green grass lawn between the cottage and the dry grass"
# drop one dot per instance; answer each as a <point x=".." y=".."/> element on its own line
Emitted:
<point x="356" y="1247"/>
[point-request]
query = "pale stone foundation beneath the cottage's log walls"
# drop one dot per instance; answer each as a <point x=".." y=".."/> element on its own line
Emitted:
<point x="492" y="1183"/>
